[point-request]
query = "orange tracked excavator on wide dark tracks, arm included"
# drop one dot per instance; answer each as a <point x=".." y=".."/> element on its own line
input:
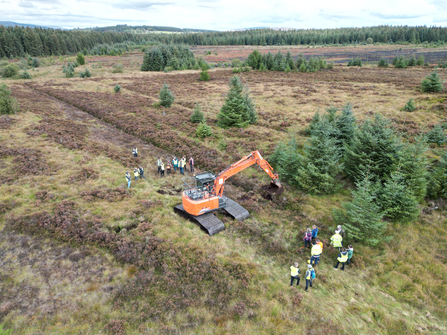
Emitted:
<point x="203" y="194"/>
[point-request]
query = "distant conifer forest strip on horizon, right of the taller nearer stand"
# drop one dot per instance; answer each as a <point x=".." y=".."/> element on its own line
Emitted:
<point x="382" y="34"/>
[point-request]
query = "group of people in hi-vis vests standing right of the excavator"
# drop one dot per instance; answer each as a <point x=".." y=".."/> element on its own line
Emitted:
<point x="311" y="241"/>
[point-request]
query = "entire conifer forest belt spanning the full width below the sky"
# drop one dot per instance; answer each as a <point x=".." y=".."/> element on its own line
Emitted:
<point x="21" y="41"/>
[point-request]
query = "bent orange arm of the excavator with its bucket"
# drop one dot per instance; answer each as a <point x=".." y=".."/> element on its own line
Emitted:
<point x="245" y="162"/>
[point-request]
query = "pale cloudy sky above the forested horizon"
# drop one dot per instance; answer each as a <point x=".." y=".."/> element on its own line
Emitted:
<point x="225" y="14"/>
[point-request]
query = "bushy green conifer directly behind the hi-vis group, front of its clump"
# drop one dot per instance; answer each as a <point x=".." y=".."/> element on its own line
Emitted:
<point x="362" y="217"/>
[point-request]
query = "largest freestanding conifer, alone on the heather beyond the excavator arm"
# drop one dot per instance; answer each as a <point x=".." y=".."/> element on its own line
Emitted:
<point x="238" y="110"/>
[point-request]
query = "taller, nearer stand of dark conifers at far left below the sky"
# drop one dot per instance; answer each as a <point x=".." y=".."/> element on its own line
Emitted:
<point x="36" y="42"/>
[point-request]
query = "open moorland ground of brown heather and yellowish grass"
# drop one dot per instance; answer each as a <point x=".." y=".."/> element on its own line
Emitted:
<point x="81" y="254"/>
